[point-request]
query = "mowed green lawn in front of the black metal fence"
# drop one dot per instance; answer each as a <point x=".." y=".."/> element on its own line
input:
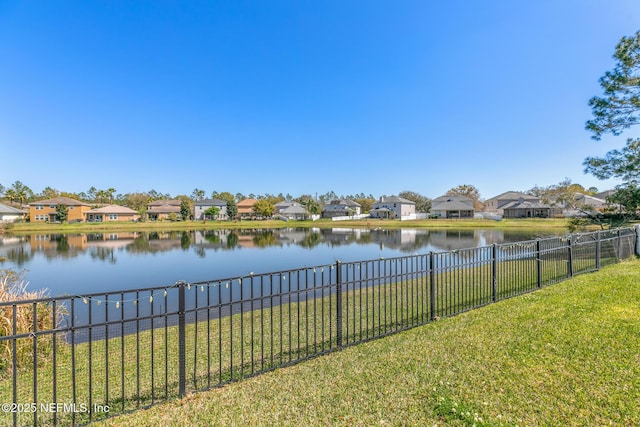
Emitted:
<point x="568" y="354"/>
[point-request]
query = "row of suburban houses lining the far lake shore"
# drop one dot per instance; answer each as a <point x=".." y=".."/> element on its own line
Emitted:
<point x="510" y="204"/>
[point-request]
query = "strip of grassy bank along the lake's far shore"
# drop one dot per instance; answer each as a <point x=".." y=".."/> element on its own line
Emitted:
<point x="26" y="228"/>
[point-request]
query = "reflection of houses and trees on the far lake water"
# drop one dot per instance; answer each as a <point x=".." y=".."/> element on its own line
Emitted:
<point x="19" y="250"/>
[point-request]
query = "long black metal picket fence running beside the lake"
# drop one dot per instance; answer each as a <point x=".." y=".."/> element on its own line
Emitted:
<point x="76" y="359"/>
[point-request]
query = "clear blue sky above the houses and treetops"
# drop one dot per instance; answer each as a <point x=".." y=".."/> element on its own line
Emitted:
<point x="303" y="97"/>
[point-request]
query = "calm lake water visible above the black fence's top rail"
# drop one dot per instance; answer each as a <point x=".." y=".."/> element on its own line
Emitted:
<point x="76" y="264"/>
